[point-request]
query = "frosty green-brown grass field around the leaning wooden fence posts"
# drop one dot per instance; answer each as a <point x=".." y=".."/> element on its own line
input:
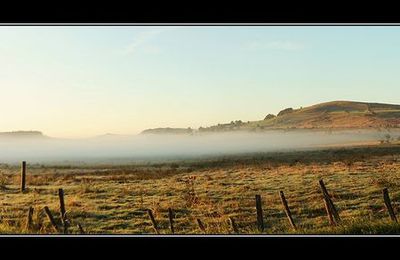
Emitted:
<point x="110" y="199"/>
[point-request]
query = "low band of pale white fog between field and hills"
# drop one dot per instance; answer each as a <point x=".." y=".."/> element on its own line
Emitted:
<point x="149" y="147"/>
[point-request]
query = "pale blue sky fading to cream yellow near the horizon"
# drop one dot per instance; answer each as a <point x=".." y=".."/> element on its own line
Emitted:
<point x="81" y="81"/>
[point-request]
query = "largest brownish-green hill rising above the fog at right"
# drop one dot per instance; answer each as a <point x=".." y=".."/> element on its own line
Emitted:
<point x="329" y="115"/>
